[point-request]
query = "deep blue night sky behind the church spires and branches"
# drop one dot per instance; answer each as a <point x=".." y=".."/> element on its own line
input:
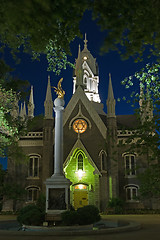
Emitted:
<point x="36" y="71"/>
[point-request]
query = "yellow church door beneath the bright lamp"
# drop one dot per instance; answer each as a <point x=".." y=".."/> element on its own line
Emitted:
<point x="80" y="196"/>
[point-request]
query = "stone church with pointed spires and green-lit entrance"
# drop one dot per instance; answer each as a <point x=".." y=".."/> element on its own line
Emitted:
<point x="97" y="168"/>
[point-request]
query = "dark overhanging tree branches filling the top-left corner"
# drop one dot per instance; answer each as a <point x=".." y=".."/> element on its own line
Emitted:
<point x="41" y="27"/>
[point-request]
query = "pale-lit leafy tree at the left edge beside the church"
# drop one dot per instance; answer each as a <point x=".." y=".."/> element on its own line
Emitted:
<point x="10" y="93"/>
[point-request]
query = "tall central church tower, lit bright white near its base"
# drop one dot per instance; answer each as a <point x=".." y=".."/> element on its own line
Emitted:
<point x="86" y="73"/>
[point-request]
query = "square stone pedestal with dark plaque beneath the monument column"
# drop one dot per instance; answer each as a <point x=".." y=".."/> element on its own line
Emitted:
<point x="57" y="194"/>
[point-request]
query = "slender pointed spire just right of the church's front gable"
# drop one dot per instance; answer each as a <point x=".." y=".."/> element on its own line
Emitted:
<point x="110" y="100"/>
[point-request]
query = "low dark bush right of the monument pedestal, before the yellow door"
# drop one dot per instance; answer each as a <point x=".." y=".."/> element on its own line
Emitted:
<point x="83" y="216"/>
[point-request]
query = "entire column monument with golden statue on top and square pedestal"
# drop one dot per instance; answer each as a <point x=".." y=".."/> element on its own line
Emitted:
<point x="57" y="186"/>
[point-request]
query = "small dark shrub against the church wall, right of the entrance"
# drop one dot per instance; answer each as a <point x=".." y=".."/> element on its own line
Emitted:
<point x="117" y="205"/>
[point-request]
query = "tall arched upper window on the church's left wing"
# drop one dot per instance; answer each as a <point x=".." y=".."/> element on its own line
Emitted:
<point x="33" y="167"/>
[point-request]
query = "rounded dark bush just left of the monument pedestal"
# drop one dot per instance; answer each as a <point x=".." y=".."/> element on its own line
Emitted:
<point x="30" y="215"/>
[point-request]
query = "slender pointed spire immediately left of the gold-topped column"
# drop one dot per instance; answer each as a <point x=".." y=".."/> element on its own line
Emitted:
<point x="48" y="104"/>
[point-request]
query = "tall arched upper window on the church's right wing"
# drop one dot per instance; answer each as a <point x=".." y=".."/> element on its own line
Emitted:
<point x="130" y="165"/>
